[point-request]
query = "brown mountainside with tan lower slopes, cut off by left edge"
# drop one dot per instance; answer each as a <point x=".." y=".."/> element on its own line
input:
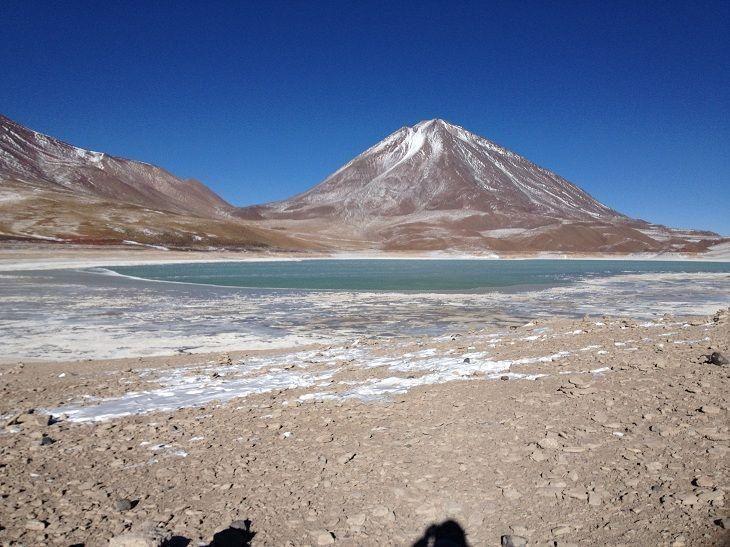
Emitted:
<point x="51" y="190"/>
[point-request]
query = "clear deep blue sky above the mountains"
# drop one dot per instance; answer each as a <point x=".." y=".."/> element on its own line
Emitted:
<point x="261" y="100"/>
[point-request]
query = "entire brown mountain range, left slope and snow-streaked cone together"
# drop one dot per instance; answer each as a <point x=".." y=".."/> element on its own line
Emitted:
<point x="433" y="186"/>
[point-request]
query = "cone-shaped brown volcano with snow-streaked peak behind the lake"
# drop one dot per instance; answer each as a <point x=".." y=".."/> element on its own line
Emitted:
<point x="438" y="186"/>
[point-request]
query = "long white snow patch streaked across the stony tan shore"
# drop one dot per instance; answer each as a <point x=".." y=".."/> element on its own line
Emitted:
<point x="189" y="387"/>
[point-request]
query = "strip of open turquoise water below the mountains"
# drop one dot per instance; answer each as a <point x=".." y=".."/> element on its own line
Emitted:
<point x="407" y="275"/>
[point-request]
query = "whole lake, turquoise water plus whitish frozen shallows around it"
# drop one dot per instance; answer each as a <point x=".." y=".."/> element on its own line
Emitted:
<point x="96" y="313"/>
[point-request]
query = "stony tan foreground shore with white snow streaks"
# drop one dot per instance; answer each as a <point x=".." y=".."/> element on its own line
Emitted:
<point x="607" y="431"/>
